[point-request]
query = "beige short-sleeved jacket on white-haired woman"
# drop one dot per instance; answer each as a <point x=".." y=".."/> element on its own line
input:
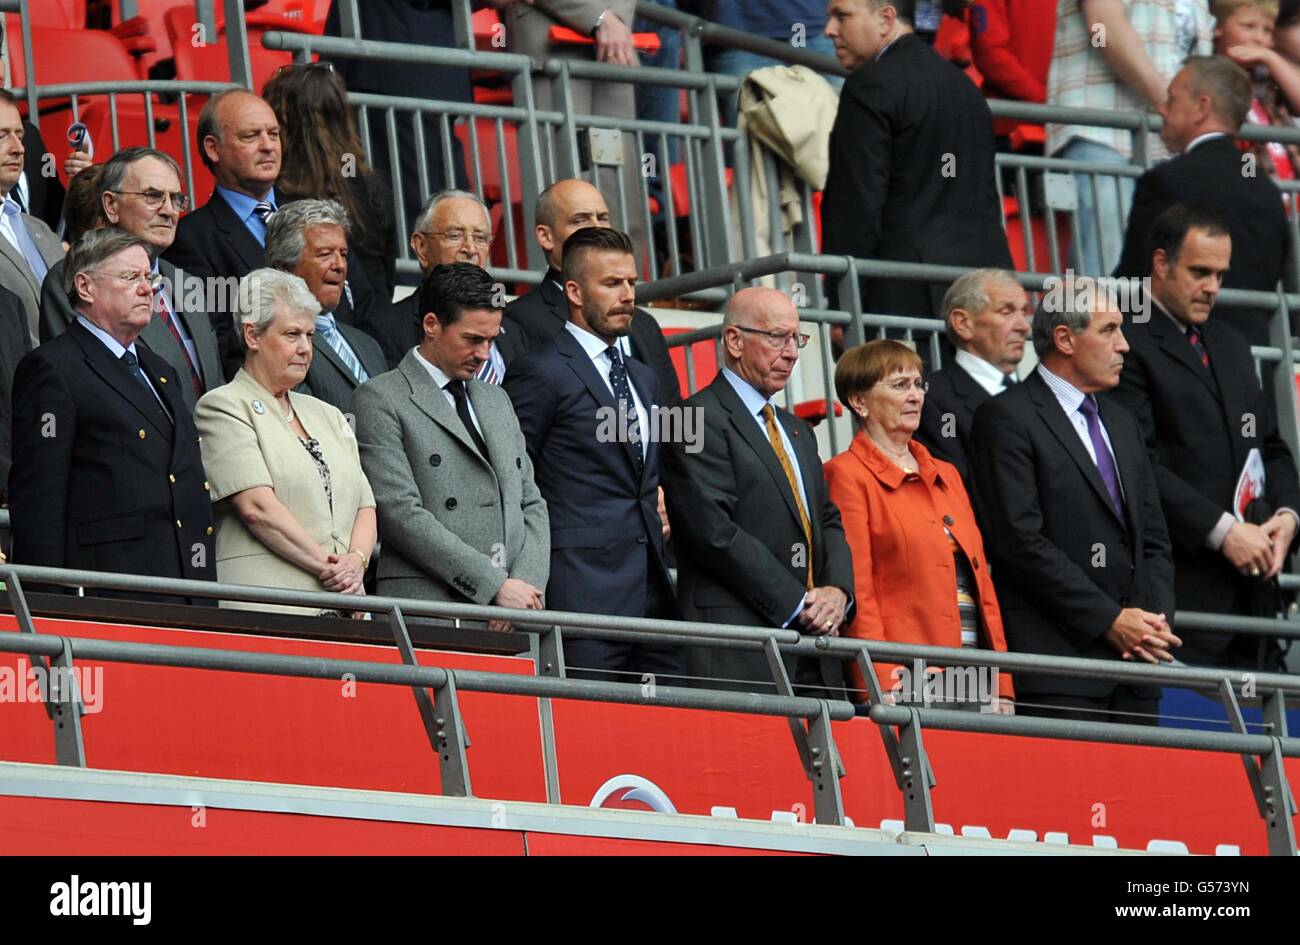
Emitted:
<point x="246" y="443"/>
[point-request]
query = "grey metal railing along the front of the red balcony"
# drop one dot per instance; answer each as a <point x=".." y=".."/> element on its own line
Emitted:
<point x="811" y="719"/>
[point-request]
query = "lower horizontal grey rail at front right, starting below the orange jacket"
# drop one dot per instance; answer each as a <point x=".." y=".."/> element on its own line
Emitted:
<point x="1113" y="734"/>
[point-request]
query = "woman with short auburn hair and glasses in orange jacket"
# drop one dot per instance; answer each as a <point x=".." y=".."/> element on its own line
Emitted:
<point x="920" y="569"/>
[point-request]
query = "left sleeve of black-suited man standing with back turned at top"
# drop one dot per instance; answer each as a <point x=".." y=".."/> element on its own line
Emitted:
<point x="861" y="159"/>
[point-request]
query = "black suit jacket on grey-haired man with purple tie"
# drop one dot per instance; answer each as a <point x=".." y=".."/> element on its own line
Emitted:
<point x="1064" y="563"/>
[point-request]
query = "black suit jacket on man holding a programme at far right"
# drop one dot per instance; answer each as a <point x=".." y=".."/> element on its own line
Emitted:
<point x="1201" y="424"/>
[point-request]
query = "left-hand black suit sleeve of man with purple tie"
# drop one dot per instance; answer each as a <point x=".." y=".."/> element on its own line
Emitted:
<point x="1006" y="474"/>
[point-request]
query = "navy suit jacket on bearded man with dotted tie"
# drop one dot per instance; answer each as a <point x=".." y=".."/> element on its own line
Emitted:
<point x="604" y="514"/>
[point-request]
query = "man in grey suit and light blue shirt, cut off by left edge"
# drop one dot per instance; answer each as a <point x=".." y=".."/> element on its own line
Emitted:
<point x="28" y="248"/>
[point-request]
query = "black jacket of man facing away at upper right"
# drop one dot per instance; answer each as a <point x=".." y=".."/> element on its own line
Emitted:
<point x="1212" y="174"/>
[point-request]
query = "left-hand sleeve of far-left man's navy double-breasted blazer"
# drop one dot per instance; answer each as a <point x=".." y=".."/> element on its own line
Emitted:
<point x="45" y="428"/>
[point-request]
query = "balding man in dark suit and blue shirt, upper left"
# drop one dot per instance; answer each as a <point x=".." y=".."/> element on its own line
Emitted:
<point x="239" y="141"/>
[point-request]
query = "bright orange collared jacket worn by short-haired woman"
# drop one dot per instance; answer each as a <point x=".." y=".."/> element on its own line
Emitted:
<point x="905" y="579"/>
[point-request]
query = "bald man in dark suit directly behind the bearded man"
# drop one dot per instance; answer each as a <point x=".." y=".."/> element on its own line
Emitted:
<point x="562" y="209"/>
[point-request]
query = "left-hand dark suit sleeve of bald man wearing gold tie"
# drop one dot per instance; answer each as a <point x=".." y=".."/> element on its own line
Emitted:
<point x="700" y="493"/>
